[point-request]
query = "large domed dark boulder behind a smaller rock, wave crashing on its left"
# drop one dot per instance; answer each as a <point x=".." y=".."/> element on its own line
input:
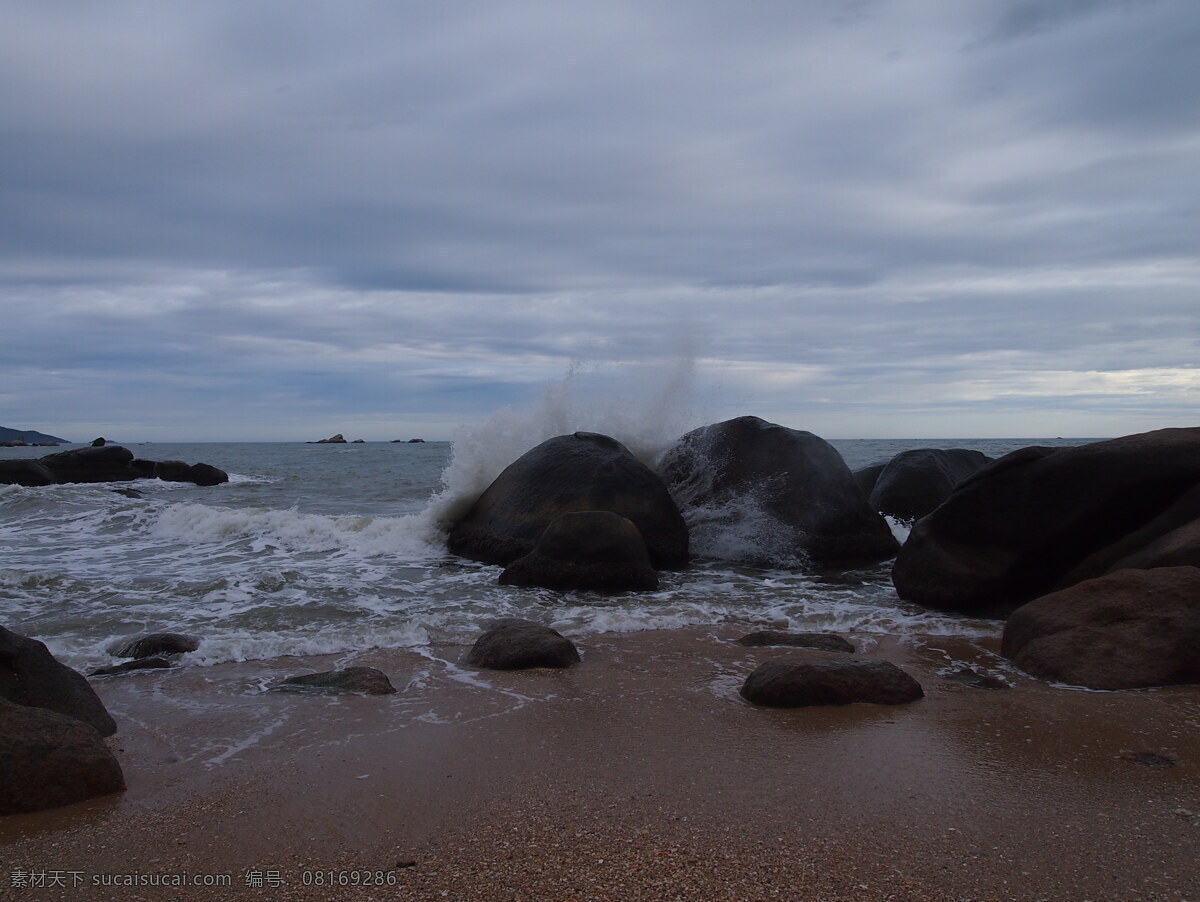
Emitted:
<point x="583" y="472"/>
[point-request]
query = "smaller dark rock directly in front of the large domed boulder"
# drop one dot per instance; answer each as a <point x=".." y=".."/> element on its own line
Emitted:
<point x="596" y="551"/>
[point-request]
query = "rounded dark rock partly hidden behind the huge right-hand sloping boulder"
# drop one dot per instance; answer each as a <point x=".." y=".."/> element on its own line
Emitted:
<point x="915" y="483"/>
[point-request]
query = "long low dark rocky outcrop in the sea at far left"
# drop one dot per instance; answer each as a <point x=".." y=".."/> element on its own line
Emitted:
<point x="105" y="464"/>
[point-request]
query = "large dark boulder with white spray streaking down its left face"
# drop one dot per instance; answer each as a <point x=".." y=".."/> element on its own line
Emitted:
<point x="770" y="496"/>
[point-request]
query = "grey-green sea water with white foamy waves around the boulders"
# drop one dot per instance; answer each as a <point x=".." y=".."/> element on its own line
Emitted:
<point x="316" y="549"/>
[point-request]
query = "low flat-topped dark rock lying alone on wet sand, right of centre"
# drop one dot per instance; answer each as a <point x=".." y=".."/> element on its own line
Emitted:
<point x="797" y="683"/>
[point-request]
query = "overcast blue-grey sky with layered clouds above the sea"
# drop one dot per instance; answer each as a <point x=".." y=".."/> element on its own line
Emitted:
<point x="860" y="218"/>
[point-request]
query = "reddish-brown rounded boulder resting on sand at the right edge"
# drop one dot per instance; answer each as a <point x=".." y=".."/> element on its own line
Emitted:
<point x="1126" y="630"/>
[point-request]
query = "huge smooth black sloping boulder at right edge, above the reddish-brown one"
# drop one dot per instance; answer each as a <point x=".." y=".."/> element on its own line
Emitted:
<point x="1042" y="519"/>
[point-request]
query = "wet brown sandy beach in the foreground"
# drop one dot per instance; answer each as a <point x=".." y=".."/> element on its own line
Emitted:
<point x="640" y="774"/>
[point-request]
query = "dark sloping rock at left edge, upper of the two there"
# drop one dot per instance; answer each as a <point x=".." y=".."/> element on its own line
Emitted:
<point x="31" y="676"/>
